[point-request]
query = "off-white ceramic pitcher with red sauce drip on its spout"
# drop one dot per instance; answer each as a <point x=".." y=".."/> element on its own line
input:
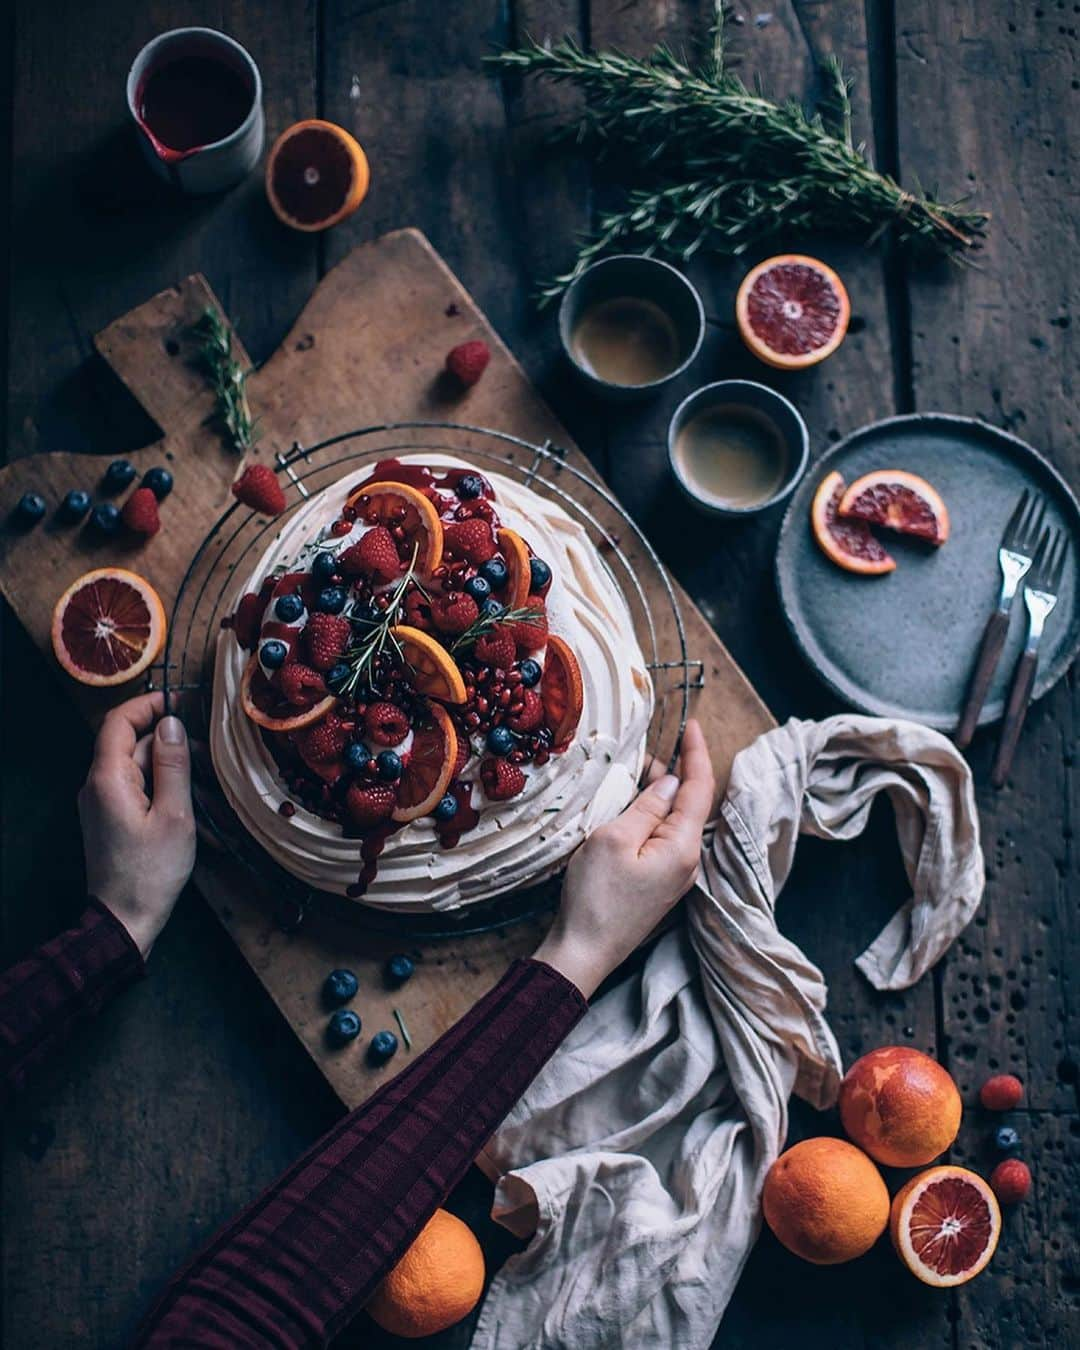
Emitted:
<point x="225" y="163"/>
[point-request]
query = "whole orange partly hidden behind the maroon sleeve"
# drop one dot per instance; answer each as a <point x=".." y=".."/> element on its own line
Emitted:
<point x="435" y="1285"/>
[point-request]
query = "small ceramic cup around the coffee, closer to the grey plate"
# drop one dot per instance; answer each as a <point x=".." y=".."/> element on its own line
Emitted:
<point x="776" y="408"/>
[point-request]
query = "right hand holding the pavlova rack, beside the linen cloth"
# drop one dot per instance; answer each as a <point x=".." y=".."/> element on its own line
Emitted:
<point x="627" y="875"/>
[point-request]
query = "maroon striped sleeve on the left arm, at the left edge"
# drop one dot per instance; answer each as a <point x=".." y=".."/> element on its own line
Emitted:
<point x="45" y="997"/>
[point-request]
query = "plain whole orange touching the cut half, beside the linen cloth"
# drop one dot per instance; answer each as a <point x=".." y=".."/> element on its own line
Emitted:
<point x="826" y="1201"/>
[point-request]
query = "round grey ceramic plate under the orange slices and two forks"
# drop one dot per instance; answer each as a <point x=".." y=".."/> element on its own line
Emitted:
<point x="904" y="645"/>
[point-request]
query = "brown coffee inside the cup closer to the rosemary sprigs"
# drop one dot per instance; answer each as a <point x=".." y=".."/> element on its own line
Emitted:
<point x="627" y="341"/>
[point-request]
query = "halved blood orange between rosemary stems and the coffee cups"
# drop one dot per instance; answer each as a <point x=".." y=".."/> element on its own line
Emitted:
<point x="793" y="311"/>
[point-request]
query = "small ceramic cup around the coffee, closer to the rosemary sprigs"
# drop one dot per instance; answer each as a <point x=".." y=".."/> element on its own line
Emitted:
<point x="630" y="276"/>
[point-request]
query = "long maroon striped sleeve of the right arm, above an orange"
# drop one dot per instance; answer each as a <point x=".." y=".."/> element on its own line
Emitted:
<point x="296" y="1266"/>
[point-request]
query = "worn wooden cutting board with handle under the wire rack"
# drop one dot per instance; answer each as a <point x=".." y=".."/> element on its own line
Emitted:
<point x="368" y="349"/>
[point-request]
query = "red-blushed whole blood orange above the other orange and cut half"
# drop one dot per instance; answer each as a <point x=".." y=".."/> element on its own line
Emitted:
<point x="900" y="1106"/>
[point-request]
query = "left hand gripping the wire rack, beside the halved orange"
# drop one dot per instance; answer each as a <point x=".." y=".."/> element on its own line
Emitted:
<point x="136" y="808"/>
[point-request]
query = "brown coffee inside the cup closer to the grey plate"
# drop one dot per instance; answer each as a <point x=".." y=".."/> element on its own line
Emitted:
<point x="734" y="454"/>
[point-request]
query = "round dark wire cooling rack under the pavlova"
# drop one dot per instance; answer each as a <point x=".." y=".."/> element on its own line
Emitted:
<point x="226" y="558"/>
